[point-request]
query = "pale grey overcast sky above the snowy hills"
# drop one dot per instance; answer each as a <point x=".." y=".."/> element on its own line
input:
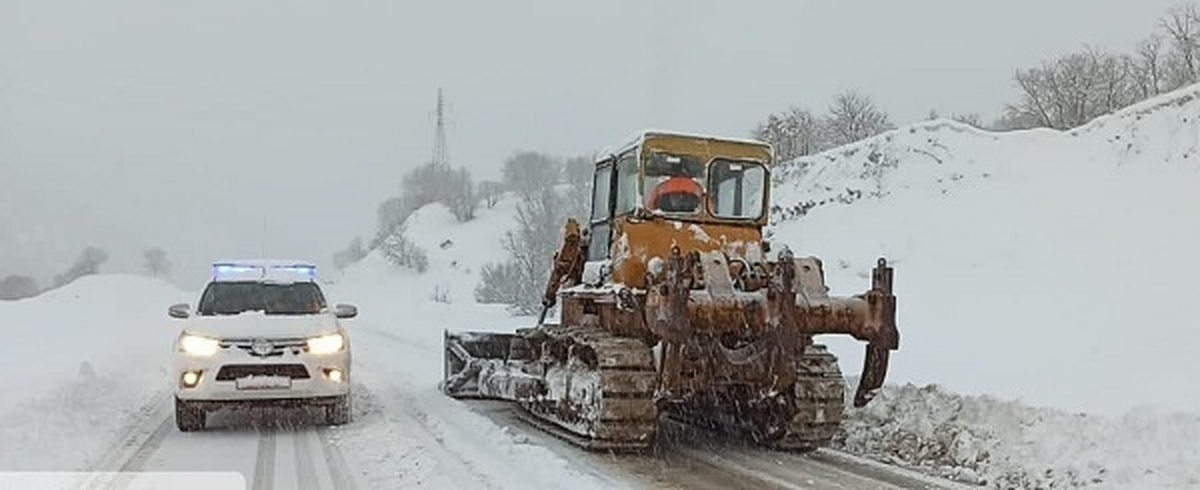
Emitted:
<point x="194" y="124"/>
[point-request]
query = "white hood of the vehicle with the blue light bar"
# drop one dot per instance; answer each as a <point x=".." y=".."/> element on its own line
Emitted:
<point x="257" y="325"/>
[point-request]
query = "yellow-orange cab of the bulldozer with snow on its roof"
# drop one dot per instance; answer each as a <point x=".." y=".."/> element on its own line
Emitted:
<point x="670" y="190"/>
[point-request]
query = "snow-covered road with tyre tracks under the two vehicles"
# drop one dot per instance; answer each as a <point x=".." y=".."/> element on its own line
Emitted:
<point x="409" y="435"/>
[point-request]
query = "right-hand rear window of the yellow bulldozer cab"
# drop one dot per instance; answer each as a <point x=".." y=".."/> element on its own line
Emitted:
<point x="737" y="189"/>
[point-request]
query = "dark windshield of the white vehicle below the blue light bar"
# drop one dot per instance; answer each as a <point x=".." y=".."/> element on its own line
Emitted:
<point x="233" y="298"/>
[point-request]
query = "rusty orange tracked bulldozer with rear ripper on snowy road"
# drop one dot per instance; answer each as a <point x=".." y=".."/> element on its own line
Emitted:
<point x="671" y="303"/>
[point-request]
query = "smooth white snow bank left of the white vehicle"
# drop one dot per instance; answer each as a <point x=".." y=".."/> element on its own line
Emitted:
<point x="82" y="360"/>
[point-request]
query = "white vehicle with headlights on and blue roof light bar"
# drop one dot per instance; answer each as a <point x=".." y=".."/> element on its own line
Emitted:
<point x="262" y="336"/>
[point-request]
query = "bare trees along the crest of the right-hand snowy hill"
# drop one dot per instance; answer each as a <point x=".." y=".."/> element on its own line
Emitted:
<point x="1063" y="93"/>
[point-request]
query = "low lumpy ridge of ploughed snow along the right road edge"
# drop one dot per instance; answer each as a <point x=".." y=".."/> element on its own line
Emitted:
<point x="1006" y="445"/>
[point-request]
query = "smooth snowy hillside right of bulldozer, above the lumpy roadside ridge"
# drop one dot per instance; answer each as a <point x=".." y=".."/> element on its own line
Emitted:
<point x="1051" y="267"/>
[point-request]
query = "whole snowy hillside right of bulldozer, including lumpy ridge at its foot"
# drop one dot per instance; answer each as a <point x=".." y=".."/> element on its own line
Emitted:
<point x="1054" y="270"/>
